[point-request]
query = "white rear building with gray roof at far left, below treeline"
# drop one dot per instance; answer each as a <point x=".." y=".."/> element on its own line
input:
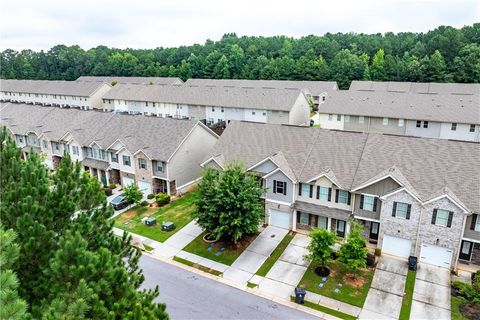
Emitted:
<point x="82" y="95"/>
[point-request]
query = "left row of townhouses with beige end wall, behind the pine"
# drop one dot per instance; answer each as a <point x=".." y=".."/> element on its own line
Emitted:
<point x="159" y="154"/>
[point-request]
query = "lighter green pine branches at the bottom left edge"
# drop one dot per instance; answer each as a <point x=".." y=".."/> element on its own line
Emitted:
<point x="11" y="305"/>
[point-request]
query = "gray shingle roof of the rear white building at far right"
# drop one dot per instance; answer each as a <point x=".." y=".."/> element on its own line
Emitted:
<point x="405" y="105"/>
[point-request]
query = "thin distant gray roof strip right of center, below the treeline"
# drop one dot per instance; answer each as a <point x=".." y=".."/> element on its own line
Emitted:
<point x="313" y="87"/>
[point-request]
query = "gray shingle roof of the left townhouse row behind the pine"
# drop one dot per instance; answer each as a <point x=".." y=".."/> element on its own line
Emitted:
<point x="157" y="137"/>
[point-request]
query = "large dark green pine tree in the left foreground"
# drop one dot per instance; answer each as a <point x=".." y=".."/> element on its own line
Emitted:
<point x="70" y="264"/>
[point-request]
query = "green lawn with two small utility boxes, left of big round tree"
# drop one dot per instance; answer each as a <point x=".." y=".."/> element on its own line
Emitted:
<point x="179" y="211"/>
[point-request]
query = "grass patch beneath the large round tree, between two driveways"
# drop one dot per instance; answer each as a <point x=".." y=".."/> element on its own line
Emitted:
<point x="227" y="256"/>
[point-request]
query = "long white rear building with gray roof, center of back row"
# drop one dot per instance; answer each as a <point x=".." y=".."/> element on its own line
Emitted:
<point x="212" y="104"/>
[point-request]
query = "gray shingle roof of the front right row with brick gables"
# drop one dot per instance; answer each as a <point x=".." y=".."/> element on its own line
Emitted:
<point x="427" y="166"/>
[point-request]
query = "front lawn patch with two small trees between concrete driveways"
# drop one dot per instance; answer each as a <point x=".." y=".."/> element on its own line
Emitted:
<point x="348" y="293"/>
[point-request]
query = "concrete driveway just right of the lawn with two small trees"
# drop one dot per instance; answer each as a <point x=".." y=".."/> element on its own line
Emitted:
<point x="384" y="299"/>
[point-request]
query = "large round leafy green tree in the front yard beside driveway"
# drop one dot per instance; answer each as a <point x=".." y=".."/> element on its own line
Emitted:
<point x="229" y="203"/>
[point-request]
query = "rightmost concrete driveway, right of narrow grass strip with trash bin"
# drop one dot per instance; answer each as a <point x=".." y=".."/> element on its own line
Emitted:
<point x="431" y="294"/>
